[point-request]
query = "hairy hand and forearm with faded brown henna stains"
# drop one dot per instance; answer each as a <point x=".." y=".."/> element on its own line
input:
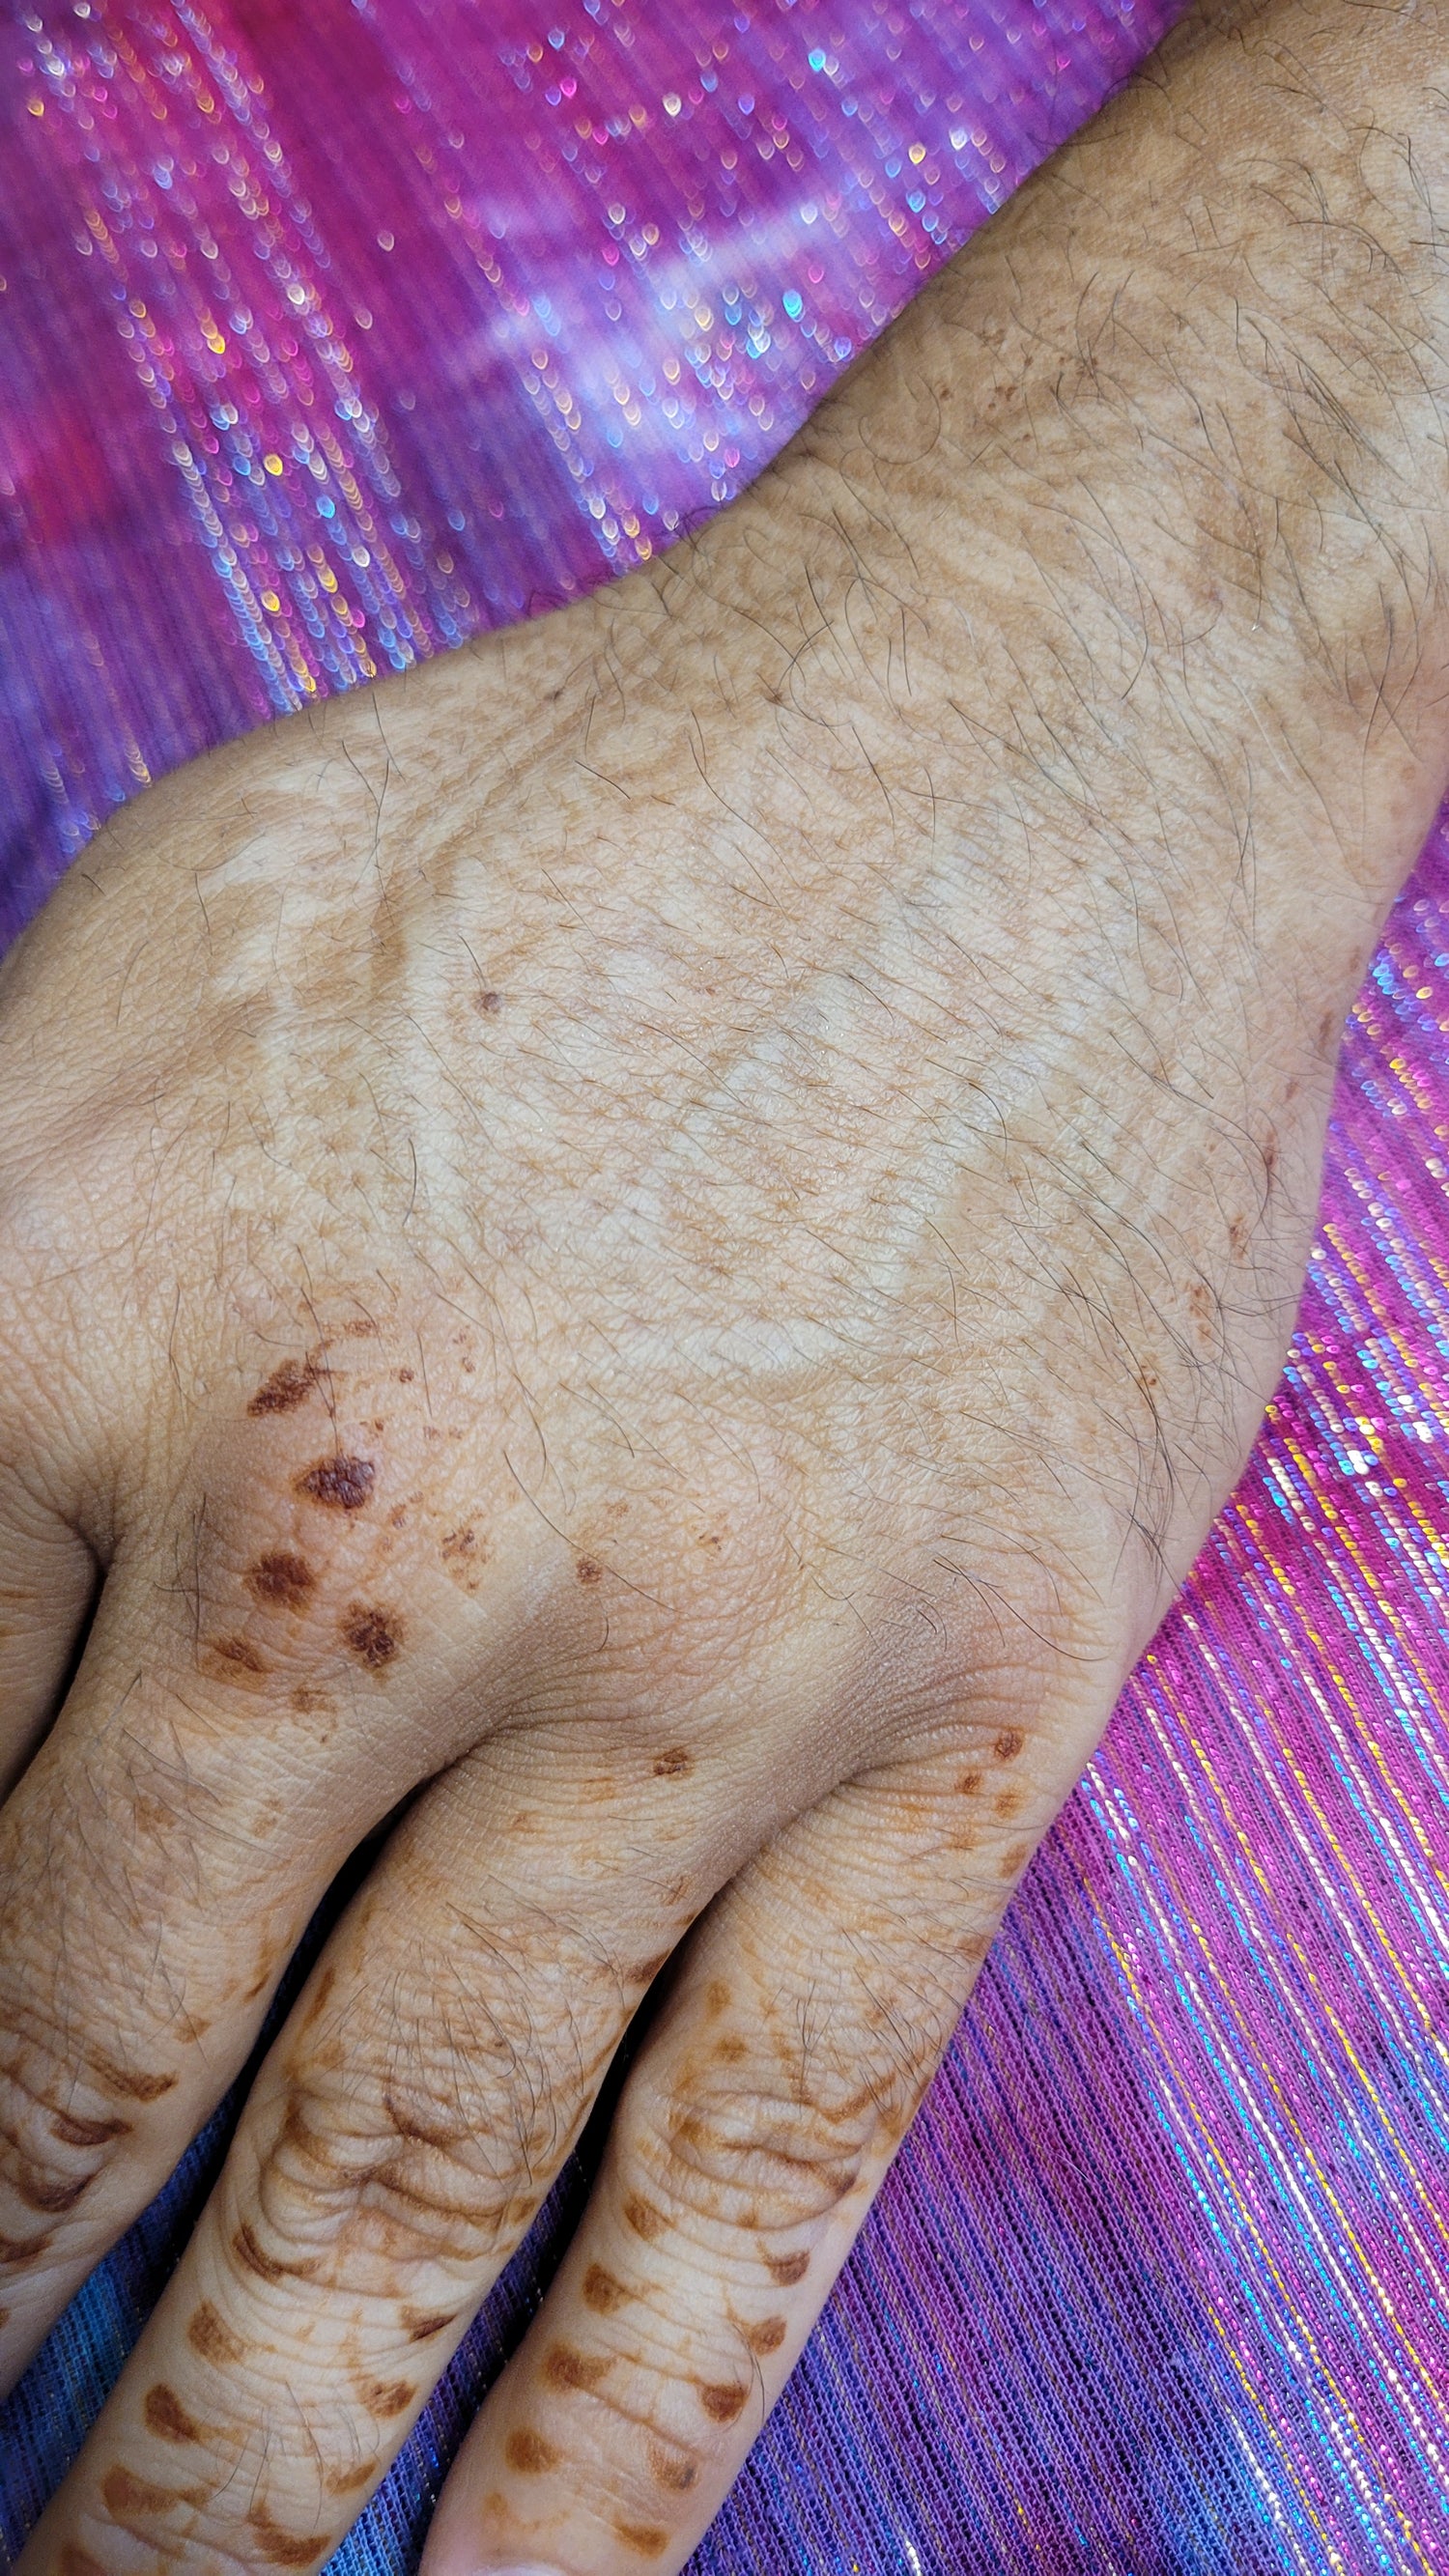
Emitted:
<point x="661" y="1240"/>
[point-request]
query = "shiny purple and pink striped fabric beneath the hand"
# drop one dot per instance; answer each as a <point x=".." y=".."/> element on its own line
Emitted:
<point x="336" y="331"/>
